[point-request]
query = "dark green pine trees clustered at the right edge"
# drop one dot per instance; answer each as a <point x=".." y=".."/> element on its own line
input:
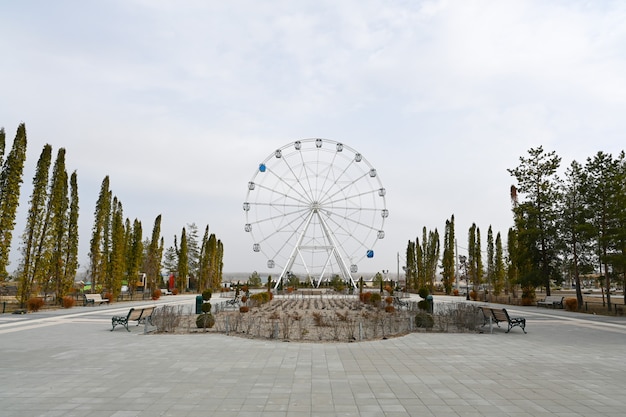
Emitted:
<point x="570" y="225"/>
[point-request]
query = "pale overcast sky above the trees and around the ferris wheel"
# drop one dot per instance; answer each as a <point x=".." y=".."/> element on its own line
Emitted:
<point x="178" y="101"/>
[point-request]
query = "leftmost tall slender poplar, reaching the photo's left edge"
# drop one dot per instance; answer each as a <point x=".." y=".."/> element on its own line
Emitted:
<point x="10" y="183"/>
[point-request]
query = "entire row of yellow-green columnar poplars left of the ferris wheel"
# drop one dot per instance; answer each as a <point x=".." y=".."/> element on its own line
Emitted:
<point x="49" y="244"/>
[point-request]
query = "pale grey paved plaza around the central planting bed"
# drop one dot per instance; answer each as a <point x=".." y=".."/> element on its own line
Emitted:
<point x="68" y="363"/>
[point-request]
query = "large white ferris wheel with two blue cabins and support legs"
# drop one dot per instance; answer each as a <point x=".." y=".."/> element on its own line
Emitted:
<point x="315" y="208"/>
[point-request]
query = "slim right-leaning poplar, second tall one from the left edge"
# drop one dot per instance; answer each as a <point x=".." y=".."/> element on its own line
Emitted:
<point x="34" y="225"/>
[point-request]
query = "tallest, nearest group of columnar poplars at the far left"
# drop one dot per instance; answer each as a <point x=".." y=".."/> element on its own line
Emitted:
<point x="49" y="244"/>
